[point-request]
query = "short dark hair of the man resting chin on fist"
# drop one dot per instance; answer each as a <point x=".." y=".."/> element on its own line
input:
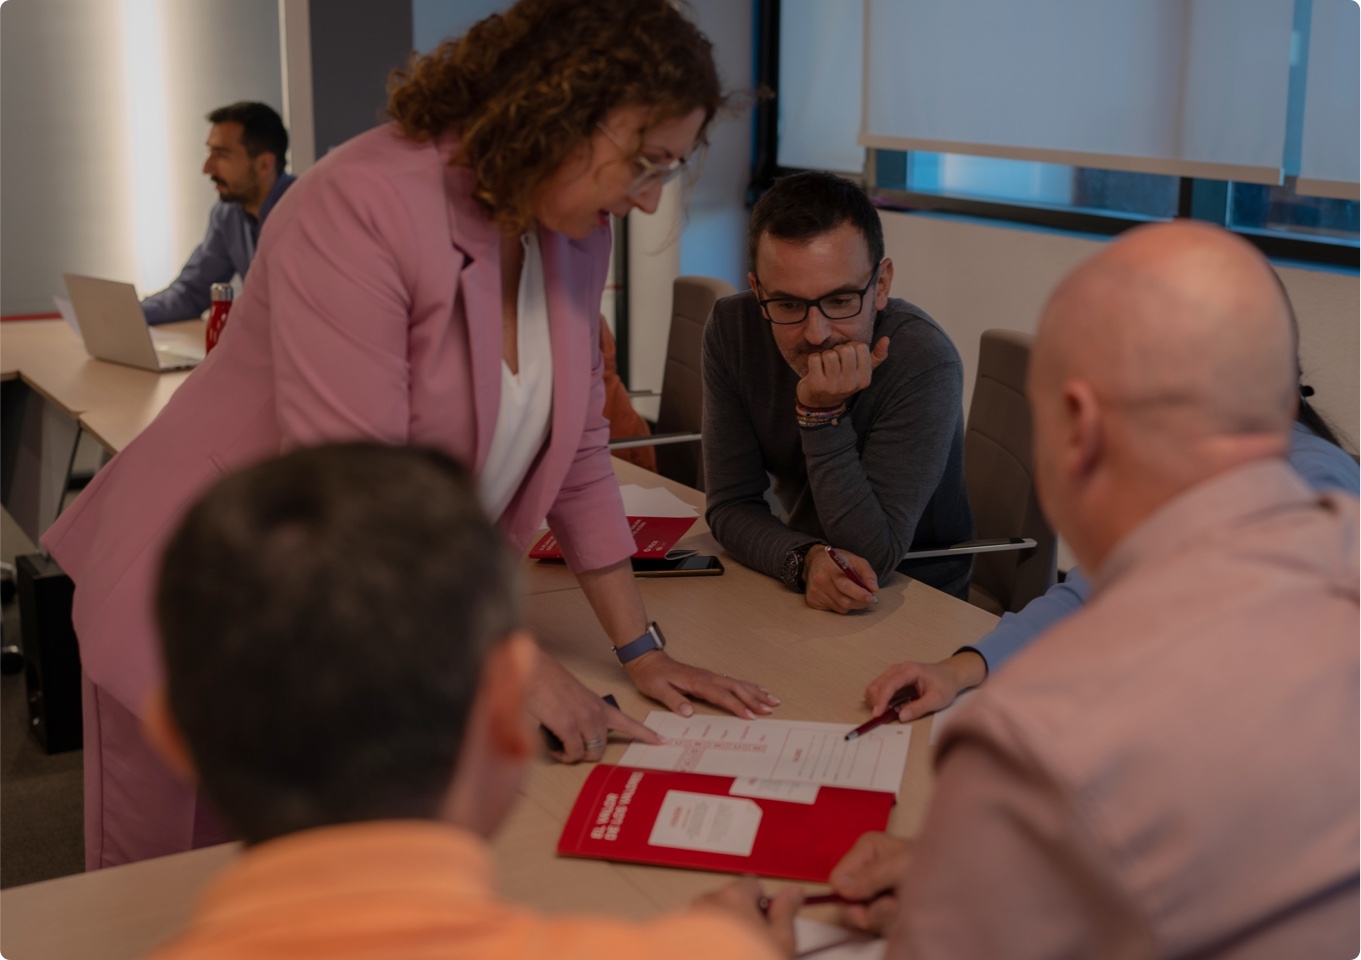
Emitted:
<point x="808" y="205"/>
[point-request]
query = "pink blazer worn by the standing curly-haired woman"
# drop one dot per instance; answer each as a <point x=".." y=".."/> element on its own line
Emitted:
<point x="374" y="311"/>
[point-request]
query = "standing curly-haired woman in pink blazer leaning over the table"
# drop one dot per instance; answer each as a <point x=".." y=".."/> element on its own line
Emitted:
<point x="390" y="300"/>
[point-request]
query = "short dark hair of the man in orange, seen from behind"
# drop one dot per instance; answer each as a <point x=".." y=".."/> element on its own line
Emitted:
<point x="325" y="619"/>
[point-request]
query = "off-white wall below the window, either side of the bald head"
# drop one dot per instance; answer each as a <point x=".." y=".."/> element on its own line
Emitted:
<point x="974" y="276"/>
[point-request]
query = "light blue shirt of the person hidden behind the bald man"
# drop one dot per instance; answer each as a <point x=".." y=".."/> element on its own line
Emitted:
<point x="1322" y="465"/>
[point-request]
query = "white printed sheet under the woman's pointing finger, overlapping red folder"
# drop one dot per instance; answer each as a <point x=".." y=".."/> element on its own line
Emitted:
<point x="776" y="751"/>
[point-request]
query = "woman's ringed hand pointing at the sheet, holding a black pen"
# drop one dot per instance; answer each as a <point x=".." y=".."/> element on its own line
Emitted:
<point x="576" y="716"/>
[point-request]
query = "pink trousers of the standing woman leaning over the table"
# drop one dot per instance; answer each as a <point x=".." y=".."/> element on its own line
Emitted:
<point x="135" y="807"/>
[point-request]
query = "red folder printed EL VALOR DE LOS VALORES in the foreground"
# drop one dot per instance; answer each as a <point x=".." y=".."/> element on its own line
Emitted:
<point x="625" y="814"/>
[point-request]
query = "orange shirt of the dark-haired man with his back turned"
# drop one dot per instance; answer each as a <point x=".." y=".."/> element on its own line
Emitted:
<point x="416" y="890"/>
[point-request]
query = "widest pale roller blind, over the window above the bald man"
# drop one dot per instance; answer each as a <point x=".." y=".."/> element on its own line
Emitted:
<point x="1183" y="88"/>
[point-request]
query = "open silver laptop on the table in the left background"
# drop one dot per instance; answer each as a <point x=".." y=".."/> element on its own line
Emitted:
<point x="114" y="327"/>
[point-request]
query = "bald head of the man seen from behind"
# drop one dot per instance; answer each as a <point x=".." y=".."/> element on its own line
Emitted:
<point x="1179" y="340"/>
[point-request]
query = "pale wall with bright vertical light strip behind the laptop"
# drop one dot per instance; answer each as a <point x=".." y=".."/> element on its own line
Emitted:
<point x="100" y="176"/>
